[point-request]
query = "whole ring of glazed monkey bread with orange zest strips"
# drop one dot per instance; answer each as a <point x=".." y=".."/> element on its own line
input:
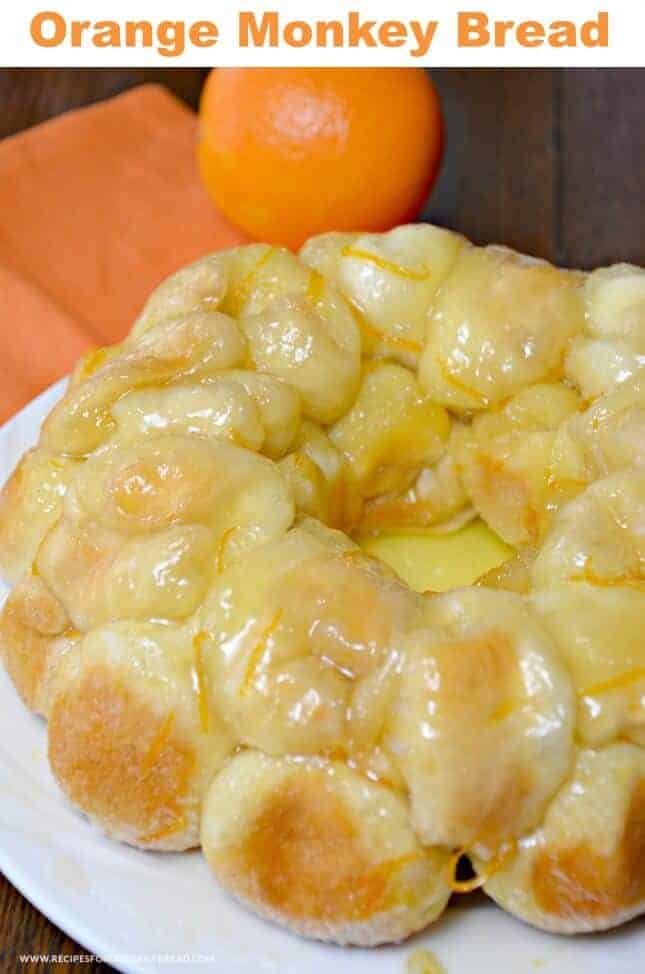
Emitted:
<point x="222" y="665"/>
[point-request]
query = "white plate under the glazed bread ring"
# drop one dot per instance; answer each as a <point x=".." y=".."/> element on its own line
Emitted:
<point x="155" y="912"/>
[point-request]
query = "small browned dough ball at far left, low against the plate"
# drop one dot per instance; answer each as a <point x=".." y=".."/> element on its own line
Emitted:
<point x="35" y="633"/>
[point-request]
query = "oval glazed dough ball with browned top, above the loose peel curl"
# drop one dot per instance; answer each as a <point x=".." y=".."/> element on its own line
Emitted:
<point x="482" y="730"/>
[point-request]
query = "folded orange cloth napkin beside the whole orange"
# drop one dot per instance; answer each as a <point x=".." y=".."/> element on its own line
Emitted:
<point x="96" y="207"/>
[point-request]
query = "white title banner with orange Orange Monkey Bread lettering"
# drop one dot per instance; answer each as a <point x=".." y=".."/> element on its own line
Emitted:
<point x="469" y="33"/>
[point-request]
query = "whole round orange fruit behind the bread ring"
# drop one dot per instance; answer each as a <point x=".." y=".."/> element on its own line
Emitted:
<point x="289" y="152"/>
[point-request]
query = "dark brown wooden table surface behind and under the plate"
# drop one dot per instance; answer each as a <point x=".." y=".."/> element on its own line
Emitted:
<point x="549" y="161"/>
